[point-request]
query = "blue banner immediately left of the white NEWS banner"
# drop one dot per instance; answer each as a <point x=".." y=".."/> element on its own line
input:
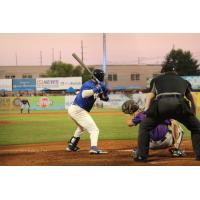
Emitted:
<point x="24" y="84"/>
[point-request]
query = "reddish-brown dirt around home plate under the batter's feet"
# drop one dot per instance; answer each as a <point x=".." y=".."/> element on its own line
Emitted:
<point x="54" y="154"/>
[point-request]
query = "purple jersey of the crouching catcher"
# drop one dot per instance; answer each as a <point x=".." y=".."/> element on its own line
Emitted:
<point x="159" y="132"/>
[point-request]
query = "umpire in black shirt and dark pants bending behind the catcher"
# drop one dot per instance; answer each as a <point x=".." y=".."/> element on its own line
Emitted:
<point x="166" y="100"/>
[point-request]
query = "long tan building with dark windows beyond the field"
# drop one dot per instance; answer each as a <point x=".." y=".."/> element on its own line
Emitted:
<point x="118" y="76"/>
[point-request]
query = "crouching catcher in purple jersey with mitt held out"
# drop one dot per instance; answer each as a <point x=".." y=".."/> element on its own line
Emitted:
<point x="165" y="135"/>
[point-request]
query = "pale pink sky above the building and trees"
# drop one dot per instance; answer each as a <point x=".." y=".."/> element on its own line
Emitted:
<point x="122" y="48"/>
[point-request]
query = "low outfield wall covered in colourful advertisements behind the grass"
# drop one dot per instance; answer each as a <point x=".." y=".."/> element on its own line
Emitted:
<point x="63" y="102"/>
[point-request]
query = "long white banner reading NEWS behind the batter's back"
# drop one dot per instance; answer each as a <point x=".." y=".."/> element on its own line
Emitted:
<point x="58" y="83"/>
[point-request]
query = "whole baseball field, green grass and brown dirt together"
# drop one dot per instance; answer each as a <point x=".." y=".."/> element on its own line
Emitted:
<point x="40" y="138"/>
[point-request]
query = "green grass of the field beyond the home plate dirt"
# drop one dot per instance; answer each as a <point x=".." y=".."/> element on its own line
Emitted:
<point x="52" y="128"/>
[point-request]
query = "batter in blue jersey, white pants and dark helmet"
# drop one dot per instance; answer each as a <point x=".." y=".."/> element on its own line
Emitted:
<point x="82" y="105"/>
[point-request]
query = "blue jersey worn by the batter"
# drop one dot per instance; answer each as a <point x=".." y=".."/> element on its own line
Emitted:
<point x="86" y="103"/>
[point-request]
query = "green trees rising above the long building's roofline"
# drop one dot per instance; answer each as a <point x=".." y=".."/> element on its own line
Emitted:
<point x="183" y="62"/>
